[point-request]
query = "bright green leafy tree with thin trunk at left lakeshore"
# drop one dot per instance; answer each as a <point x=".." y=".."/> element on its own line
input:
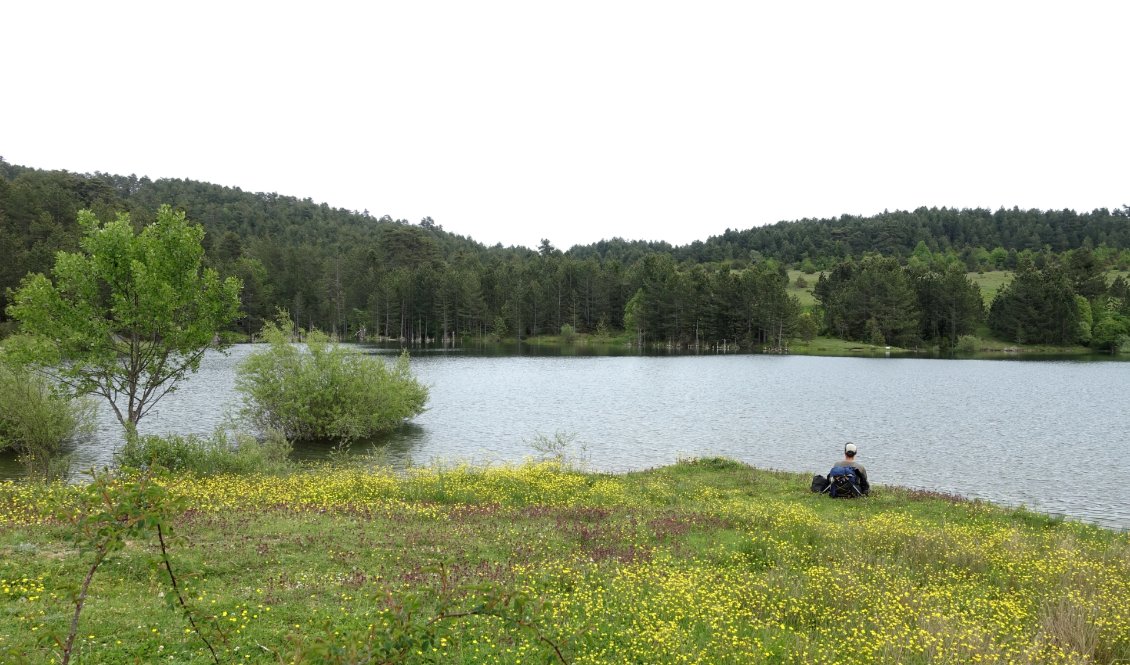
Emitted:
<point x="129" y="316"/>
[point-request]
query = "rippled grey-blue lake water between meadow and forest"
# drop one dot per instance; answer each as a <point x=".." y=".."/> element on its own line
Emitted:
<point x="1050" y="435"/>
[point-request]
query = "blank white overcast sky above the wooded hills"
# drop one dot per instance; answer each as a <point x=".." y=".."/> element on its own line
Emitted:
<point x="578" y="122"/>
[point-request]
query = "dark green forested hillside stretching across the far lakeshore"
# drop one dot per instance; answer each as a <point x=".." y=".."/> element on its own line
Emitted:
<point x="897" y="279"/>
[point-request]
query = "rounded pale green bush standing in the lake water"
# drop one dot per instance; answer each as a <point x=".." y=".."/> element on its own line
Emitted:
<point x="324" y="390"/>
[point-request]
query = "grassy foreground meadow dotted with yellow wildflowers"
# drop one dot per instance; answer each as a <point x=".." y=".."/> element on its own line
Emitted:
<point x="705" y="562"/>
